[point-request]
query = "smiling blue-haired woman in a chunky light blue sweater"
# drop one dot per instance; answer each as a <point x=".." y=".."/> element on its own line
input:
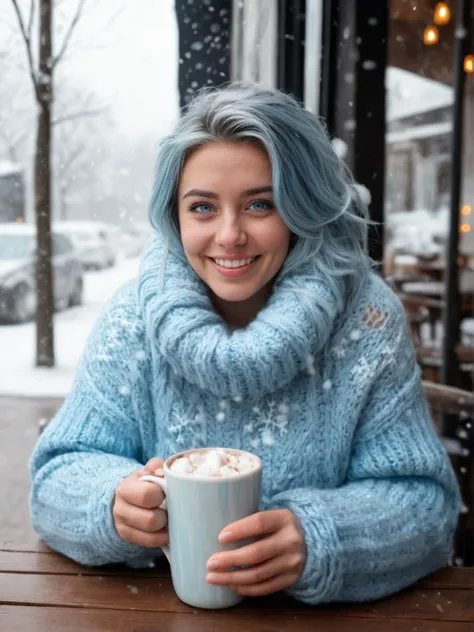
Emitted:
<point x="255" y="323"/>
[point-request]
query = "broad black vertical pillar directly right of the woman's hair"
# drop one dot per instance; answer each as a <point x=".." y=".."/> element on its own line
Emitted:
<point x="353" y="94"/>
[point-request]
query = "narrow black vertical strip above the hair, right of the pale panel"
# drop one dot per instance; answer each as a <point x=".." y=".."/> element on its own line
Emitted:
<point x="291" y="36"/>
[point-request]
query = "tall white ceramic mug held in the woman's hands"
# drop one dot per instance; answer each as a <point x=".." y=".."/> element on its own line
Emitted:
<point x="198" y="510"/>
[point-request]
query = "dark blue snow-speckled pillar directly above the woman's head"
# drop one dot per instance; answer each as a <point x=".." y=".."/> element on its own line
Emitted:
<point x="204" y="45"/>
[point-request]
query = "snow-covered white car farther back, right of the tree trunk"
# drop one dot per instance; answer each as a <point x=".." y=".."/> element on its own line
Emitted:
<point x="94" y="245"/>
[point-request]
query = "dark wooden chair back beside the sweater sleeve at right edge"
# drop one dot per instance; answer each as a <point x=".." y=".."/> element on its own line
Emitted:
<point x="455" y="407"/>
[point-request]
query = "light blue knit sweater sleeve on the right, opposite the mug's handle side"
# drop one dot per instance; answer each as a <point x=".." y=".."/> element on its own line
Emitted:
<point x="392" y="520"/>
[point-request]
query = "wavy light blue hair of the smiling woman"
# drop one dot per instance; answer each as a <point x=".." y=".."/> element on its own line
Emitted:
<point x="313" y="190"/>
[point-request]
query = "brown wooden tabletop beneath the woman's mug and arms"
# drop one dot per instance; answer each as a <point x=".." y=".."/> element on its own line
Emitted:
<point x="41" y="591"/>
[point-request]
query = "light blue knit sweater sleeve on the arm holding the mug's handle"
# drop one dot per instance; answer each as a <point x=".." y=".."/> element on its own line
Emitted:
<point x="92" y="444"/>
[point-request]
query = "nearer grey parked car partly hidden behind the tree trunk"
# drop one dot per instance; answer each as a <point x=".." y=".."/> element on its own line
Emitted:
<point x="18" y="272"/>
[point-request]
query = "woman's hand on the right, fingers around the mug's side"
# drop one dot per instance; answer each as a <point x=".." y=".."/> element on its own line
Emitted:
<point x="276" y="559"/>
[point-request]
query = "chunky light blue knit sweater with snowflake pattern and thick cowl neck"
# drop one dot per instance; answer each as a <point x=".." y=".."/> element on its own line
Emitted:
<point x="332" y="403"/>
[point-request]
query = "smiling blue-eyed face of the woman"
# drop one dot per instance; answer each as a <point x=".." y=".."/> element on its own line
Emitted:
<point x="232" y="235"/>
